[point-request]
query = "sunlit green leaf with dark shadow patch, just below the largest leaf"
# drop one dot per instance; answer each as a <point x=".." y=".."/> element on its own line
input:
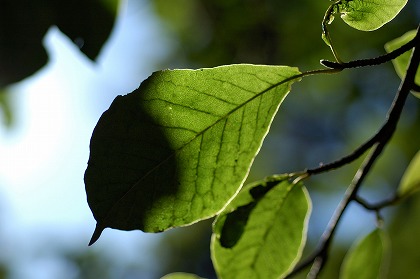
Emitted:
<point x="262" y="232"/>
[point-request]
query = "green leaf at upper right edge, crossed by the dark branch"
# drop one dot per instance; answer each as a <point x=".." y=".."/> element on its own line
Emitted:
<point x="401" y="62"/>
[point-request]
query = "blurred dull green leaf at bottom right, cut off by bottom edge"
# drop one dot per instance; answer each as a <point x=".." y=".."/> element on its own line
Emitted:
<point x="367" y="259"/>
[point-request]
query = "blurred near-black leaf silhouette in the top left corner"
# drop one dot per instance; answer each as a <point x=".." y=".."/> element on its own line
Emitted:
<point x="23" y="24"/>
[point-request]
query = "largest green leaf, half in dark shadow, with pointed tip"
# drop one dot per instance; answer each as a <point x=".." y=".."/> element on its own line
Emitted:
<point x="178" y="148"/>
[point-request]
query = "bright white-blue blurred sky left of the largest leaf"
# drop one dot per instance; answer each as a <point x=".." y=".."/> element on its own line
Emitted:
<point x="44" y="155"/>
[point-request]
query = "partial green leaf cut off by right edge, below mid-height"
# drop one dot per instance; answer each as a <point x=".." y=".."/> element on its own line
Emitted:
<point x="410" y="181"/>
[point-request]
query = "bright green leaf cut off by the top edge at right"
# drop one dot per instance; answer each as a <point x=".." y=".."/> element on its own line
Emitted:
<point x="369" y="15"/>
